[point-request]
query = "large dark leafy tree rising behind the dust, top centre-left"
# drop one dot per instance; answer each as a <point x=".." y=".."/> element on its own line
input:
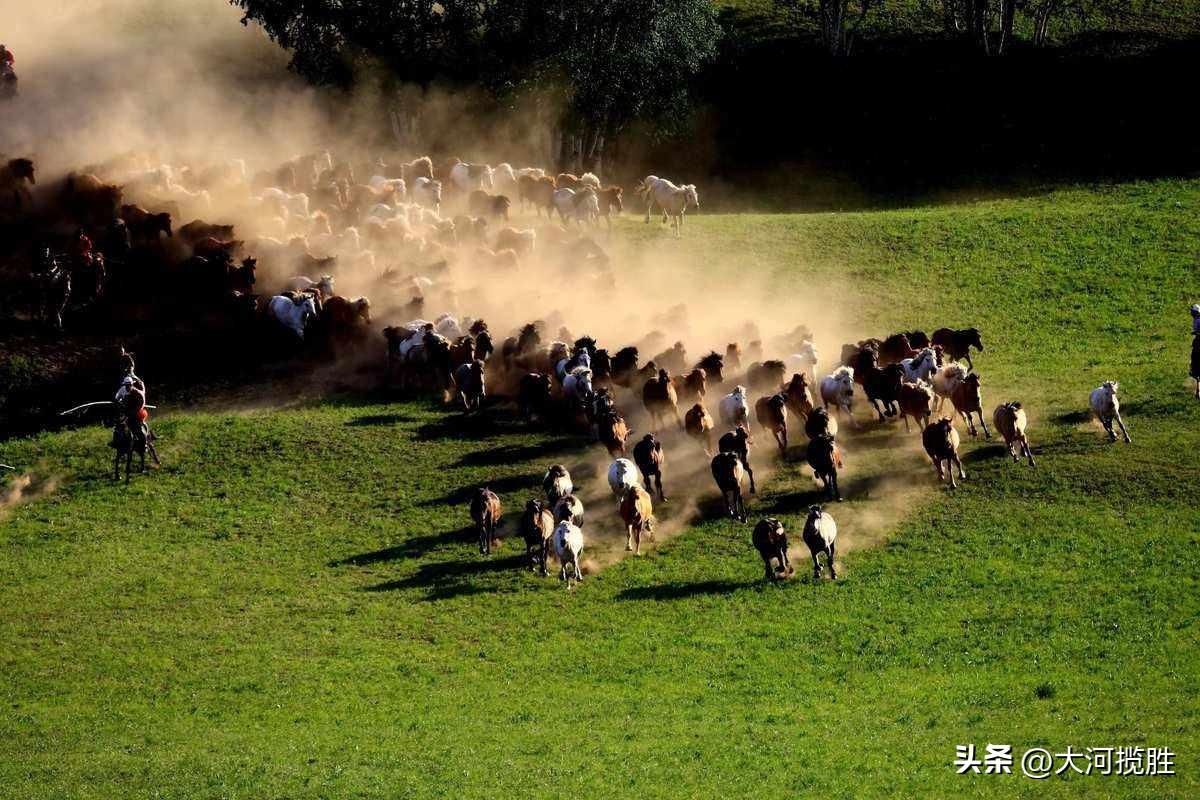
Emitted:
<point x="599" y="63"/>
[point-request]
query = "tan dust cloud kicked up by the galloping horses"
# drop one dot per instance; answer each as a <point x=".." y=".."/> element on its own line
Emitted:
<point x="152" y="97"/>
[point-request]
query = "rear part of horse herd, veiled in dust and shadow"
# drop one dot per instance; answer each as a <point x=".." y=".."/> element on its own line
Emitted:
<point x="105" y="243"/>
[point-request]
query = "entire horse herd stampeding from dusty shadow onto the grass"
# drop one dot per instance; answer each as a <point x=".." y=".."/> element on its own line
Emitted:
<point x="313" y="218"/>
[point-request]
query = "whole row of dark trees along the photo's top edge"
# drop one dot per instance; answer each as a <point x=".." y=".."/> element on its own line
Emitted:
<point x="590" y="68"/>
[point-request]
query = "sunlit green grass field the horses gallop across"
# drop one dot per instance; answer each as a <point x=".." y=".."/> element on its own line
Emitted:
<point x="291" y="607"/>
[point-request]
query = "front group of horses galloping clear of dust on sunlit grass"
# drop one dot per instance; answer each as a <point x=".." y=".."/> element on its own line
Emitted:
<point x="584" y="386"/>
